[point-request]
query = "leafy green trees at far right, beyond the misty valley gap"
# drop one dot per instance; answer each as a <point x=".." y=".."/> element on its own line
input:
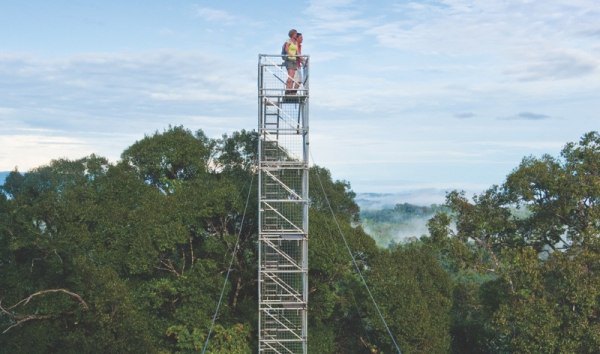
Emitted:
<point x="525" y="257"/>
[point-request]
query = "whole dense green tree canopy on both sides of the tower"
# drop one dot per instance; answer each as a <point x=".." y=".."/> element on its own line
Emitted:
<point x="131" y="257"/>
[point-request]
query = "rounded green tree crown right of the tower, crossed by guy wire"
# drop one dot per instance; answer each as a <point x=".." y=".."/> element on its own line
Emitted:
<point x="414" y="294"/>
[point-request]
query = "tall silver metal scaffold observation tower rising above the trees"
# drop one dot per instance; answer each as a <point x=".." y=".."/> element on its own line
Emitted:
<point x="283" y="208"/>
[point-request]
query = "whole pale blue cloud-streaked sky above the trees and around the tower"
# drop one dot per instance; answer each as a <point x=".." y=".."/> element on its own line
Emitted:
<point x="423" y="95"/>
